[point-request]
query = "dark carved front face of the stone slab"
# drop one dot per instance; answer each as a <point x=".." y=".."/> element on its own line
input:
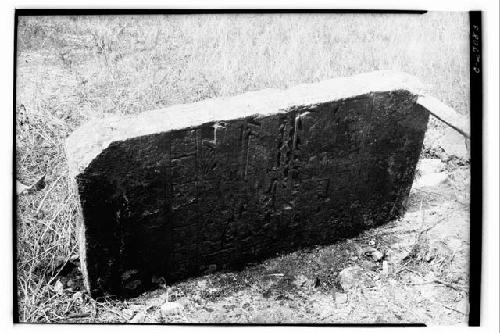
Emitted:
<point x="220" y="195"/>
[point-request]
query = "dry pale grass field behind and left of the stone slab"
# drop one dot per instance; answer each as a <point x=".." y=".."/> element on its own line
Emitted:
<point x="72" y="69"/>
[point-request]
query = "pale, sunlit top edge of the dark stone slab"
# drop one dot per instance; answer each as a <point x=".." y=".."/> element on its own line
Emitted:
<point x="85" y="143"/>
